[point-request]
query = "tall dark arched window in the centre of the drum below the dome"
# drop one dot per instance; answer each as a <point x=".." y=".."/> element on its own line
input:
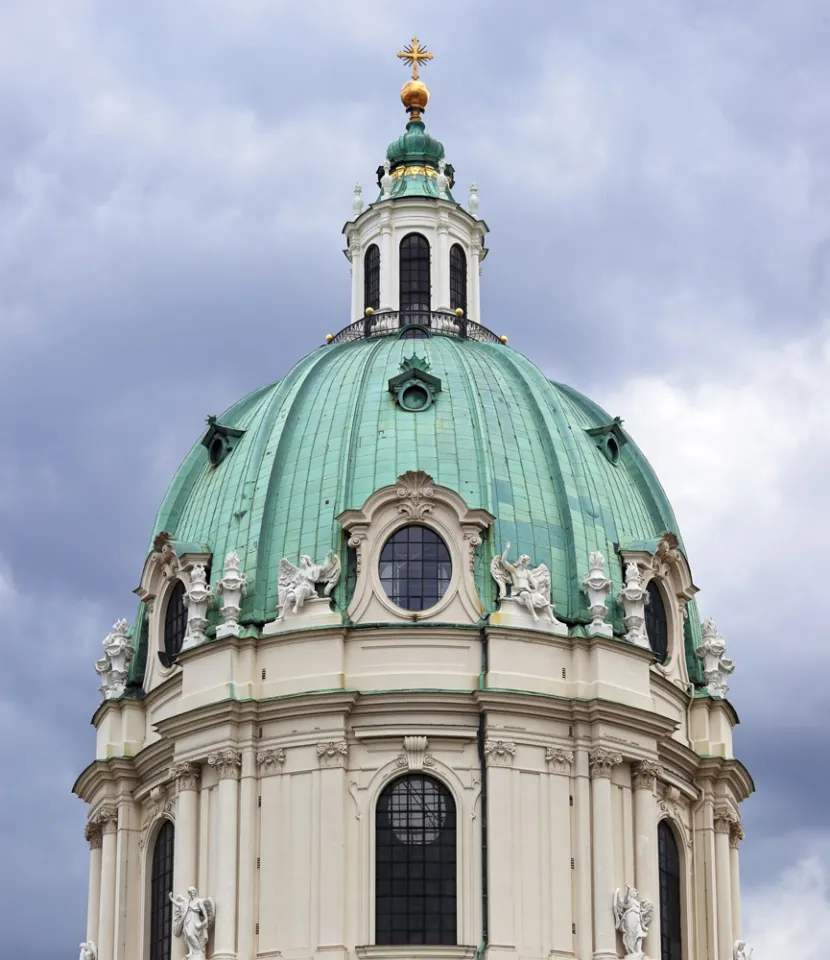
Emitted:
<point x="415" y="870"/>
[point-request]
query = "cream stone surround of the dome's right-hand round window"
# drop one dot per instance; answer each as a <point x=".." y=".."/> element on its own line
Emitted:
<point x="666" y="565"/>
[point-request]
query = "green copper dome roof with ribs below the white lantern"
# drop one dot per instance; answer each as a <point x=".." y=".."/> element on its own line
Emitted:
<point x="559" y="475"/>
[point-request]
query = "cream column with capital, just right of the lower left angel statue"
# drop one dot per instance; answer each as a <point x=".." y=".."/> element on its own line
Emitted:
<point x="227" y="763"/>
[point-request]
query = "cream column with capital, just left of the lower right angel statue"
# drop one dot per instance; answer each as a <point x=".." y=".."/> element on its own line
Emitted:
<point x="602" y="845"/>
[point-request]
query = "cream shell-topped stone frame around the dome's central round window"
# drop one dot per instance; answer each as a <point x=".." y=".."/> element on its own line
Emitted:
<point x="415" y="499"/>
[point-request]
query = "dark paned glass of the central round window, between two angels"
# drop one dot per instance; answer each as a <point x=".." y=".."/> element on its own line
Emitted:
<point x="415" y="568"/>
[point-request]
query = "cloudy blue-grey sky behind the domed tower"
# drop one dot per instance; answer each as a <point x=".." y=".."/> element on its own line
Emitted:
<point x="173" y="182"/>
